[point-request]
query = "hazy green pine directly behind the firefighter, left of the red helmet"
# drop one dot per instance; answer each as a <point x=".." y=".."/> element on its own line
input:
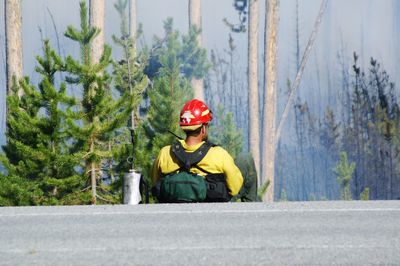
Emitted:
<point x="170" y="91"/>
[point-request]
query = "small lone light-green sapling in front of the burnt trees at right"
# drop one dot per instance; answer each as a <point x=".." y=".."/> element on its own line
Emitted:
<point x="344" y="172"/>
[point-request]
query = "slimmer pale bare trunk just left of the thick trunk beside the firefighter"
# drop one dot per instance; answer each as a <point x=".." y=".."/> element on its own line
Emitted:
<point x="254" y="111"/>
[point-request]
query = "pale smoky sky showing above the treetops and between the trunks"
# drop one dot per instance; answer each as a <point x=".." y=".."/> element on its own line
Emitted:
<point x="369" y="27"/>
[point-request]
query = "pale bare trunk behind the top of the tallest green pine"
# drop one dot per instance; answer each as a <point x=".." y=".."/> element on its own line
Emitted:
<point x="96" y="20"/>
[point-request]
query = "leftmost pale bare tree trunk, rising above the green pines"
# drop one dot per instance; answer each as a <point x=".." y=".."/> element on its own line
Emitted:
<point x="13" y="23"/>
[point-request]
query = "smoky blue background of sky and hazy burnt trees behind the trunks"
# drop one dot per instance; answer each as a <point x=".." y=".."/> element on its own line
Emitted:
<point x="338" y="110"/>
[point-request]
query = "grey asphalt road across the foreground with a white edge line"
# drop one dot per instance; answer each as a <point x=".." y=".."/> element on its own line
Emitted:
<point x="356" y="233"/>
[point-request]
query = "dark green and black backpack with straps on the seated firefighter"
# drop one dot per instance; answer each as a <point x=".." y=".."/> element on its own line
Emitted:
<point x="184" y="186"/>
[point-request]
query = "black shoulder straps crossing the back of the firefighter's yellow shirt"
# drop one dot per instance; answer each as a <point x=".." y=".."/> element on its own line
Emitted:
<point x="190" y="159"/>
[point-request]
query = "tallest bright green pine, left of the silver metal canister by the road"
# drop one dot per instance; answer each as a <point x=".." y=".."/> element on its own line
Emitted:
<point x="100" y="115"/>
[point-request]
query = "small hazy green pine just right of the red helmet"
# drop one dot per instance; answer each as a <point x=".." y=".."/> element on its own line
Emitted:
<point x="225" y="133"/>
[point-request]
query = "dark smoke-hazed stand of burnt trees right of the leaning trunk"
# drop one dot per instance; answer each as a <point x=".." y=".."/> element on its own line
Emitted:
<point x="368" y="130"/>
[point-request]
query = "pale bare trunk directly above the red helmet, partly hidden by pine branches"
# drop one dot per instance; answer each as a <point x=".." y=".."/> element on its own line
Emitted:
<point x="195" y="20"/>
